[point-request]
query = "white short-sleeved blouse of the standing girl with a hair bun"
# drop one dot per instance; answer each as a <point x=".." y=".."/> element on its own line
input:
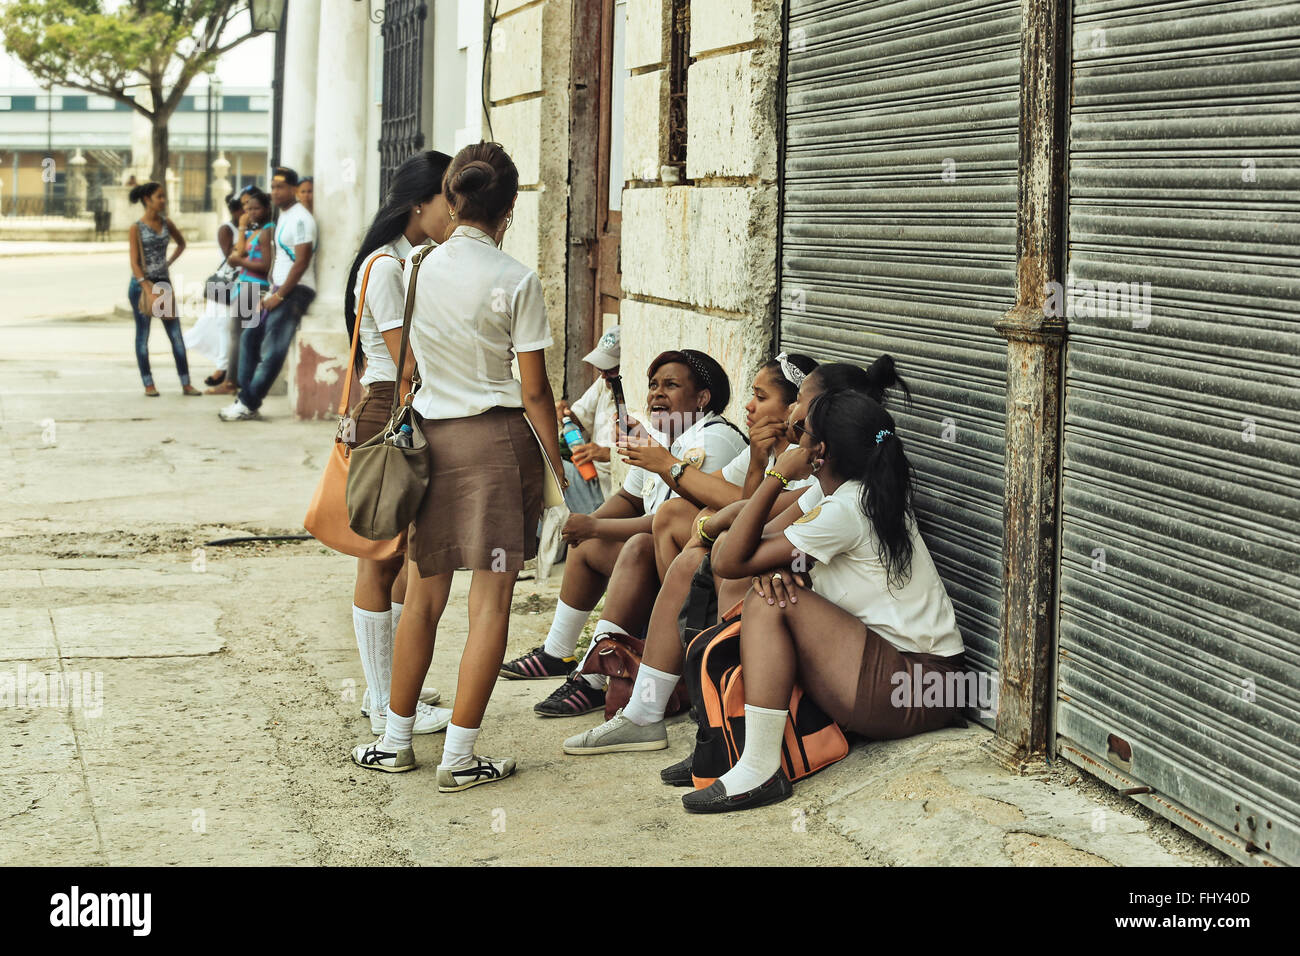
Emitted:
<point x="475" y="309"/>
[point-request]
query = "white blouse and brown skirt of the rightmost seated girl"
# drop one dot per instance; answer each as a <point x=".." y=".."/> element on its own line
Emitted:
<point x="909" y="628"/>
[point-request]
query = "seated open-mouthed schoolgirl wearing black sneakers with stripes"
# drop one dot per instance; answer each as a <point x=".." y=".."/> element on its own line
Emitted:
<point x="614" y="550"/>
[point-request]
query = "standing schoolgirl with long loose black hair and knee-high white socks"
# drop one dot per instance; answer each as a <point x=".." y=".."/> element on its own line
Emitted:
<point x="414" y="213"/>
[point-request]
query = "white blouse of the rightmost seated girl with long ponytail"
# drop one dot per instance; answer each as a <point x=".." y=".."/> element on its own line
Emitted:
<point x="917" y="617"/>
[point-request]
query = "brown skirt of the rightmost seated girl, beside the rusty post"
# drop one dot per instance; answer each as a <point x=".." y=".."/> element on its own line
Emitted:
<point x="886" y="710"/>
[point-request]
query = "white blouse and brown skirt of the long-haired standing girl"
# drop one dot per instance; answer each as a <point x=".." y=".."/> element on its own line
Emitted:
<point x="383" y="312"/>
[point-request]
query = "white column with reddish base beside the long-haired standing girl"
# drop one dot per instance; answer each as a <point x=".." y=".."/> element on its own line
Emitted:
<point x="320" y="354"/>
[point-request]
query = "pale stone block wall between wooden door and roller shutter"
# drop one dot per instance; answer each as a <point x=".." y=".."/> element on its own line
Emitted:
<point x="700" y="259"/>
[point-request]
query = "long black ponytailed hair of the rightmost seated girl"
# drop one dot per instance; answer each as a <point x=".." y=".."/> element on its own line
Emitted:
<point x="861" y="445"/>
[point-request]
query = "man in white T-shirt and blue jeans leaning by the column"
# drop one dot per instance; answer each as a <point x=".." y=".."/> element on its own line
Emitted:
<point x="265" y="345"/>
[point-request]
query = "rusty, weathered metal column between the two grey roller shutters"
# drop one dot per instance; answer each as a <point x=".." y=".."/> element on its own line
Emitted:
<point x="1034" y="353"/>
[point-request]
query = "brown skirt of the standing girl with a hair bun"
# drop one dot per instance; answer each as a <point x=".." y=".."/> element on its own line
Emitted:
<point x="484" y="499"/>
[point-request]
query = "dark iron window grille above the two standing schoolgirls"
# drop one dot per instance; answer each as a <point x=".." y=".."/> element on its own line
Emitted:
<point x="401" y="135"/>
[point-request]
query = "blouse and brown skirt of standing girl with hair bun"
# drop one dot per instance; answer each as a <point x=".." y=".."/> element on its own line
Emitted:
<point x="475" y="309"/>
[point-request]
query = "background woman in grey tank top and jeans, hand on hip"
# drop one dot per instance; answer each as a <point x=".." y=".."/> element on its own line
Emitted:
<point x="150" y="292"/>
